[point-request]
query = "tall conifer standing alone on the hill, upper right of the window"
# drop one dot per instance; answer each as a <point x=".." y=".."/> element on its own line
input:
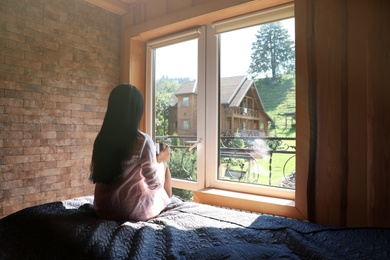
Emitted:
<point x="273" y="51"/>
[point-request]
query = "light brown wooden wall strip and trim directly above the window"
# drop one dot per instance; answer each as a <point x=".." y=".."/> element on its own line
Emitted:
<point x="161" y="21"/>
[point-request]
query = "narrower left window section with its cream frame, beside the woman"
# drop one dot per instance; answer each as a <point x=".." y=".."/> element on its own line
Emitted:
<point x="173" y="78"/>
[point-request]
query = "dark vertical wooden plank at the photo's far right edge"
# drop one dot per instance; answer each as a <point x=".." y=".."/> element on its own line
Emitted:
<point x="378" y="118"/>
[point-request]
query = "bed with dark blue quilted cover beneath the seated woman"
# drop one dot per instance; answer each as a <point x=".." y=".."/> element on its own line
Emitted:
<point x="185" y="230"/>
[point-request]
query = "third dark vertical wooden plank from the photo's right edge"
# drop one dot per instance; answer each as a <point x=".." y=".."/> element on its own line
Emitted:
<point x="330" y="28"/>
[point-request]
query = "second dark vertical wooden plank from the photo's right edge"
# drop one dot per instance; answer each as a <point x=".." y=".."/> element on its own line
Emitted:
<point x="357" y="119"/>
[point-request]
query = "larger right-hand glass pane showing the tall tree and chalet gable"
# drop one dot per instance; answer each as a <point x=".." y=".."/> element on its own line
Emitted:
<point x="257" y="105"/>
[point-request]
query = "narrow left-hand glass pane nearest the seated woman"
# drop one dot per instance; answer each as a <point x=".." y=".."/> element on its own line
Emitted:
<point x="175" y="119"/>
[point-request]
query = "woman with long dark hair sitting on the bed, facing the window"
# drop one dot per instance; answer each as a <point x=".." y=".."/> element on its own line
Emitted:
<point x="132" y="182"/>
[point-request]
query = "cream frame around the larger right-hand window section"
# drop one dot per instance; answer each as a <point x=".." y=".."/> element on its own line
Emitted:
<point x="213" y="31"/>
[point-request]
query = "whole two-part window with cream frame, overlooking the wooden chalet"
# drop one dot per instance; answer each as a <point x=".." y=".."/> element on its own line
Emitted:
<point x="237" y="125"/>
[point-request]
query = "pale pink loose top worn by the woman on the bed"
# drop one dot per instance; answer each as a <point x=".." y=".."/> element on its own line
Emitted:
<point x="139" y="194"/>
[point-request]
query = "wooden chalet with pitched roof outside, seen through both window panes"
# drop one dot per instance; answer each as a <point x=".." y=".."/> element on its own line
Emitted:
<point x="241" y="109"/>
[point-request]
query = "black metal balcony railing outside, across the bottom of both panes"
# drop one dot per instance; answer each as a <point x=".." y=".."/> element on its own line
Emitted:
<point x="266" y="161"/>
